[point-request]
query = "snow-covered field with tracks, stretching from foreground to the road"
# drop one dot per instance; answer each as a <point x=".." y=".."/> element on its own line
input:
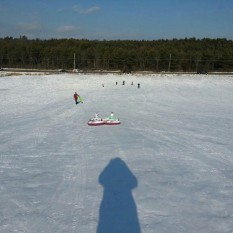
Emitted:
<point x="168" y="168"/>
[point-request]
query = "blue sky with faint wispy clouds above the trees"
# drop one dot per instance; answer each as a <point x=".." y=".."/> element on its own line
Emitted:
<point x="122" y="19"/>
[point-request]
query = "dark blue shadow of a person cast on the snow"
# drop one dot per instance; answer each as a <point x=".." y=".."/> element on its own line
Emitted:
<point x="118" y="211"/>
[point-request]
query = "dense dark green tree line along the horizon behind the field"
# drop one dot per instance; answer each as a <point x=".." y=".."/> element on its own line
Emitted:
<point x="186" y="55"/>
